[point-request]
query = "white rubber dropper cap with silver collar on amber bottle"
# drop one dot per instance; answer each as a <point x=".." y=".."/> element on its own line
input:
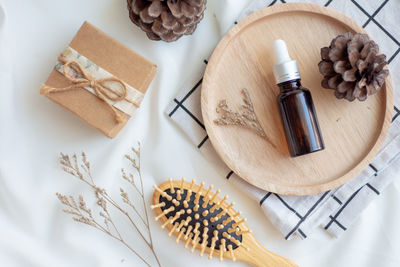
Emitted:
<point x="285" y="68"/>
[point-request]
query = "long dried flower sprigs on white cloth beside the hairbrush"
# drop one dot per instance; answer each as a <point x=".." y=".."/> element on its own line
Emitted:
<point x="103" y="221"/>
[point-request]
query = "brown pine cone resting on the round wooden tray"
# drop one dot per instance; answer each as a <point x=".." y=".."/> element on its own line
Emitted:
<point x="353" y="67"/>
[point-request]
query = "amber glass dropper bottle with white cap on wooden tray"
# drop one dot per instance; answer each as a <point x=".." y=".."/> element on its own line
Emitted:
<point x="296" y="107"/>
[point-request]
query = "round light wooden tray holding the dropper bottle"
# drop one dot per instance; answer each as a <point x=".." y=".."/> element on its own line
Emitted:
<point x="353" y="131"/>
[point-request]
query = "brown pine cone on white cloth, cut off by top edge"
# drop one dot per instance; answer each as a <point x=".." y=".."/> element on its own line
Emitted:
<point x="166" y="20"/>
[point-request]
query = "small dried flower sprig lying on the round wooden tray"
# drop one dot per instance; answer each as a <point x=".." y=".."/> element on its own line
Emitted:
<point x="246" y="118"/>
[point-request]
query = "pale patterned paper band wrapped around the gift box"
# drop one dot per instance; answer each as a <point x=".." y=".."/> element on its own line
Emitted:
<point x="128" y="105"/>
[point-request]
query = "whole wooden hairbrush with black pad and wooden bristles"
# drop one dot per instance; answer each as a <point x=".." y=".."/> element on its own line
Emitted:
<point x="208" y="223"/>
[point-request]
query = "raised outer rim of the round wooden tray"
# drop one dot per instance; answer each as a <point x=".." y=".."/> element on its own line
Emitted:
<point x="219" y="51"/>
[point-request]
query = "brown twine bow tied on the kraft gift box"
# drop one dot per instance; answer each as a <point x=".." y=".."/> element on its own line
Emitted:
<point x="99" y="86"/>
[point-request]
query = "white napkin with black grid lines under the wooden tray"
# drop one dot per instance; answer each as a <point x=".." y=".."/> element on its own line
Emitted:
<point x="336" y="209"/>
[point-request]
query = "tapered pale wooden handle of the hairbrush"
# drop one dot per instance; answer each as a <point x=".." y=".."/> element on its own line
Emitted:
<point x="262" y="257"/>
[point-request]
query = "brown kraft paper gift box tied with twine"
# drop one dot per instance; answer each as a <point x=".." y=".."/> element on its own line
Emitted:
<point x="99" y="80"/>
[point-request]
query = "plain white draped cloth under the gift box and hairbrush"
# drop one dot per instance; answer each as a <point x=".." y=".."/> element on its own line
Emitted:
<point x="33" y="130"/>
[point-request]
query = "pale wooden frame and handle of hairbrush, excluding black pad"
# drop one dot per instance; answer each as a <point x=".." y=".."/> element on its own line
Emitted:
<point x="250" y="251"/>
